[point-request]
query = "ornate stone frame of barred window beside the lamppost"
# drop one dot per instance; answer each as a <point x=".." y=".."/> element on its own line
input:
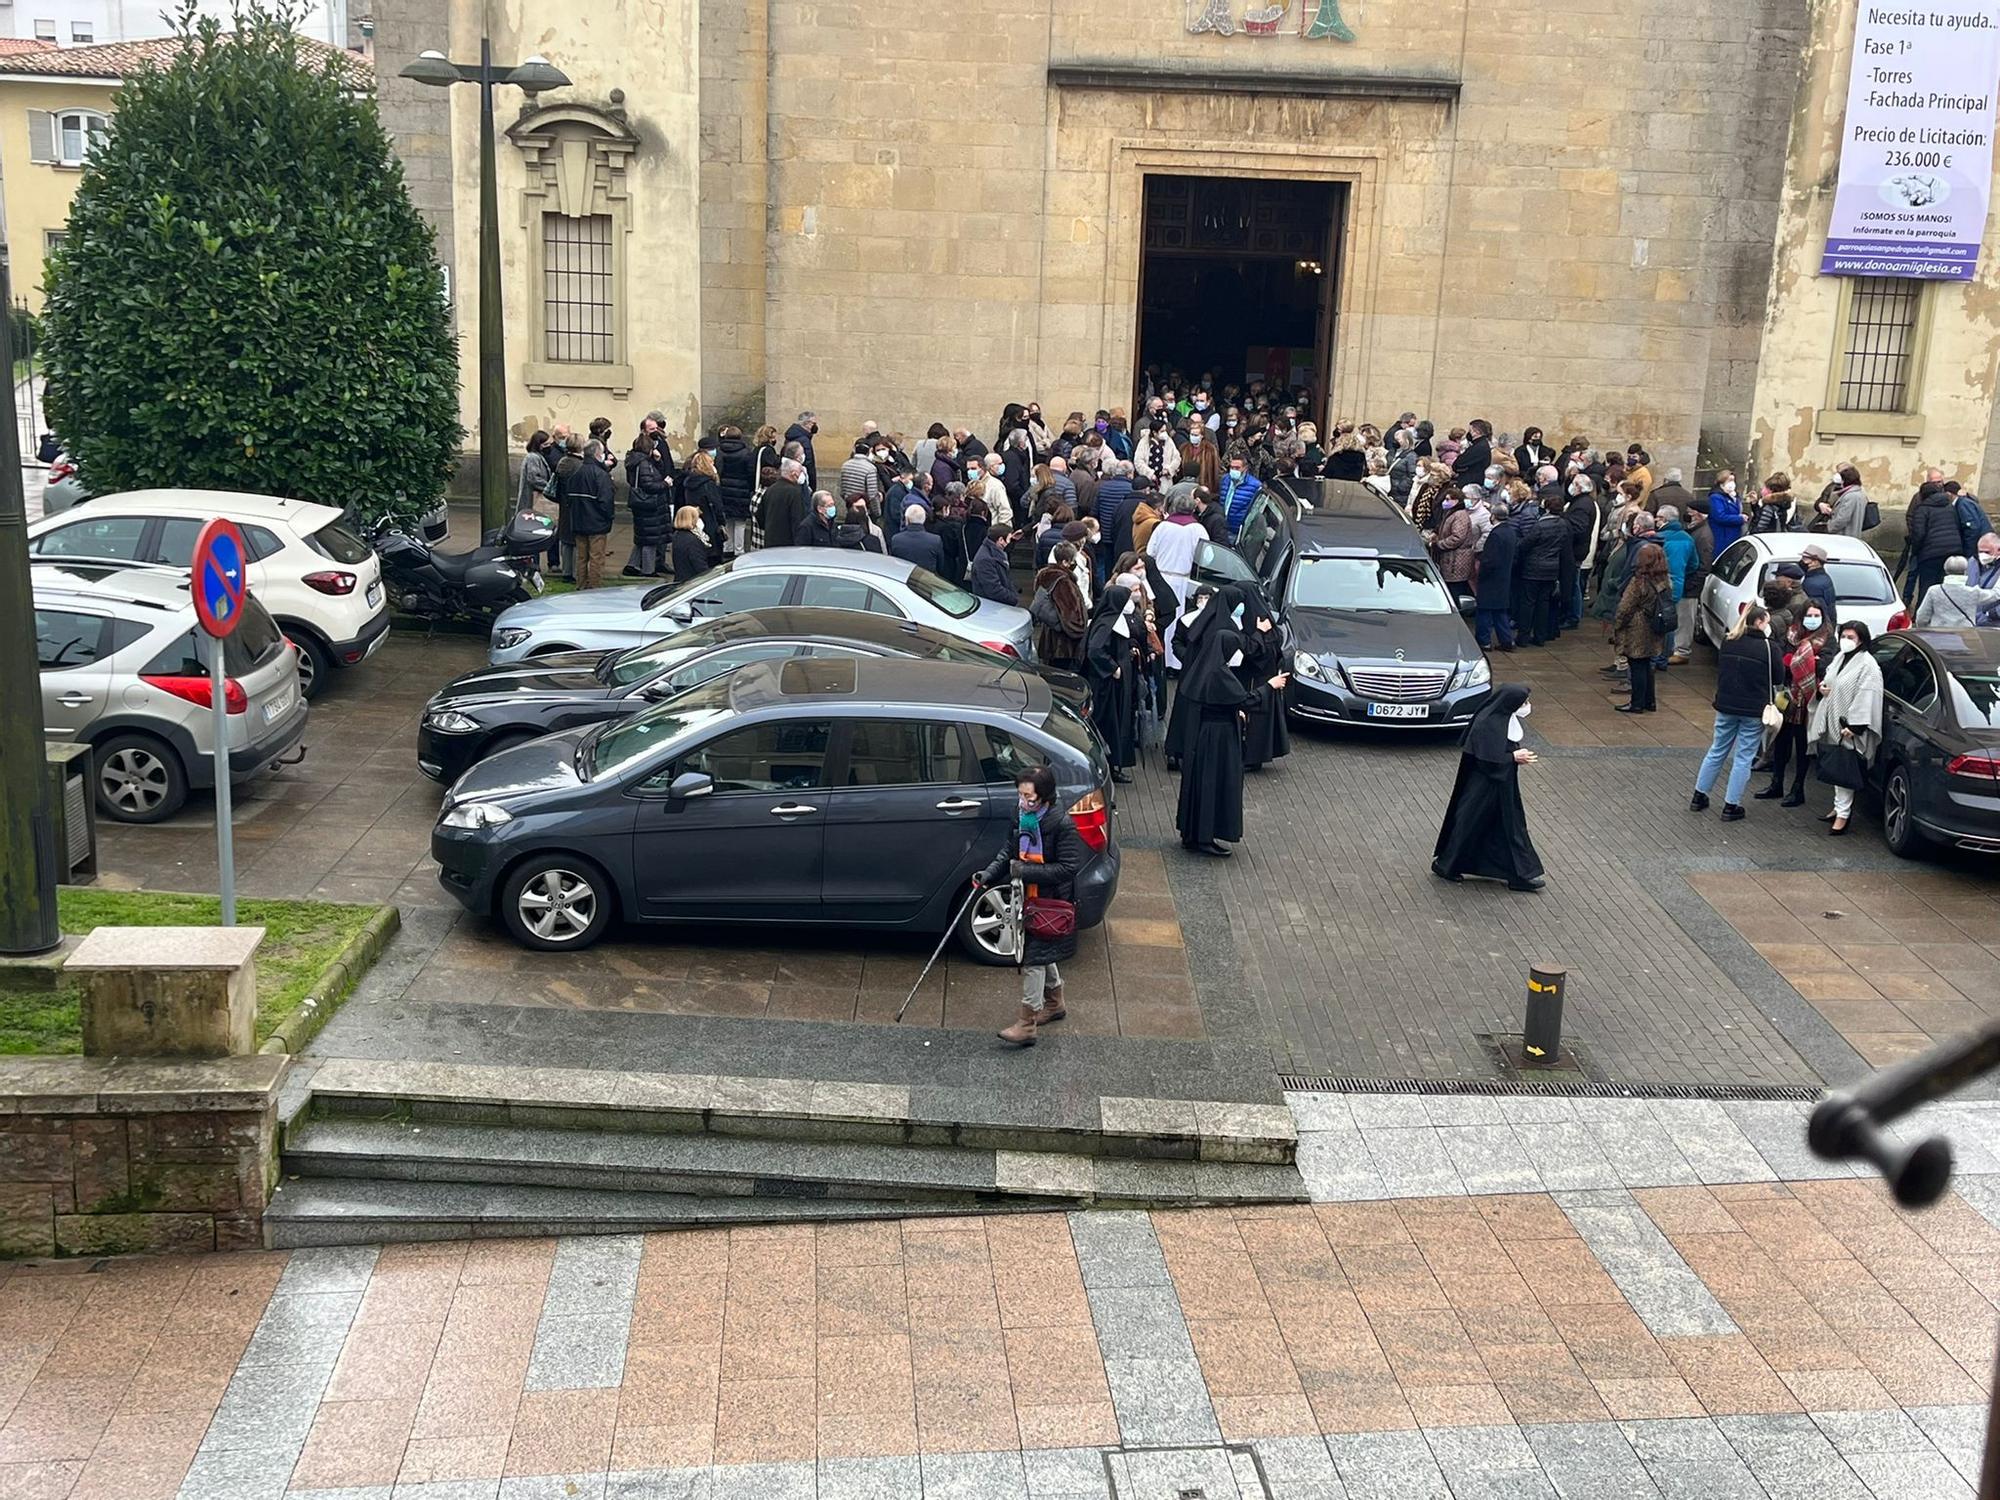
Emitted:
<point x="577" y="171"/>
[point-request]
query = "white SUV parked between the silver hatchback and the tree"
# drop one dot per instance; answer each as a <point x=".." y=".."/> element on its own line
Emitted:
<point x="315" y="573"/>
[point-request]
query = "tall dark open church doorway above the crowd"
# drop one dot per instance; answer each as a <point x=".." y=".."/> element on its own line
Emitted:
<point x="1239" y="279"/>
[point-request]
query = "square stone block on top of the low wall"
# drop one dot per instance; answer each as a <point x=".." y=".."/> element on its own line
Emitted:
<point x="169" y="993"/>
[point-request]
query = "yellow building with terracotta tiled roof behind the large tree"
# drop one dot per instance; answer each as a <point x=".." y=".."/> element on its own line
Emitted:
<point x="55" y="105"/>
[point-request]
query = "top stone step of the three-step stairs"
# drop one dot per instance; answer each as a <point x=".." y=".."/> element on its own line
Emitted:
<point x="803" y="1109"/>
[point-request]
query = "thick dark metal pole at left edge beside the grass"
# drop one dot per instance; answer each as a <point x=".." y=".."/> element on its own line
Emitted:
<point x="29" y="921"/>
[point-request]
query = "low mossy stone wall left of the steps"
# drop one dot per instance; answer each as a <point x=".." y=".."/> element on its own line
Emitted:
<point x="113" y="1157"/>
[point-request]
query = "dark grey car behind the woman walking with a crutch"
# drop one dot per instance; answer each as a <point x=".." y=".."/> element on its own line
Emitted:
<point x="853" y="793"/>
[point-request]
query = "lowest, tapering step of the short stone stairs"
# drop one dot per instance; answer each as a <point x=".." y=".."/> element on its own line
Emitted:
<point x="361" y="1211"/>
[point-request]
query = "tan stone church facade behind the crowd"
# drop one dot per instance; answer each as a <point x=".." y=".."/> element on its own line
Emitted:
<point x="1593" y="219"/>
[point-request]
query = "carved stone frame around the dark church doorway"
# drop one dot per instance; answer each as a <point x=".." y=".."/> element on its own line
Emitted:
<point x="1361" y="169"/>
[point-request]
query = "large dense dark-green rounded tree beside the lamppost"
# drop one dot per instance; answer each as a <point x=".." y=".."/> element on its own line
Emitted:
<point x="247" y="297"/>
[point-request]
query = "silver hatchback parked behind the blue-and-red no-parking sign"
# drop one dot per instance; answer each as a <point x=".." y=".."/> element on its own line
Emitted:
<point x="125" y="671"/>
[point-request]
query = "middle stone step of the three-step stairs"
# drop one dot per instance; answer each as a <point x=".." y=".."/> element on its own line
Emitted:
<point x="741" y="1167"/>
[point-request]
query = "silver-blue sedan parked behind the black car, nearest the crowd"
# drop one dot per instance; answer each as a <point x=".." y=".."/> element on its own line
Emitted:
<point x="609" y="619"/>
